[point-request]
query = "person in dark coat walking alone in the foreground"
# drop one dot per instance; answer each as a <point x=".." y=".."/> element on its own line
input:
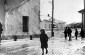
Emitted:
<point x="44" y="41"/>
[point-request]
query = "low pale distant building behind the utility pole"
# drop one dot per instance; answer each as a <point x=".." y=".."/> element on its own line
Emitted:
<point x="46" y="24"/>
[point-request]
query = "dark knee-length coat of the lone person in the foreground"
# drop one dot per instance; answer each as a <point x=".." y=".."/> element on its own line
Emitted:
<point x="44" y="40"/>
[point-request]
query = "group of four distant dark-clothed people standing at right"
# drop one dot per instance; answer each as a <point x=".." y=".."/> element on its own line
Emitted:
<point x="68" y="31"/>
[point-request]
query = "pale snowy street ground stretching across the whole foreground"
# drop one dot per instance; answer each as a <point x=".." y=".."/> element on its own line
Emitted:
<point x="56" y="46"/>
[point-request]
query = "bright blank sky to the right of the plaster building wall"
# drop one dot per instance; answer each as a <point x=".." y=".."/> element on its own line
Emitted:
<point x="64" y="10"/>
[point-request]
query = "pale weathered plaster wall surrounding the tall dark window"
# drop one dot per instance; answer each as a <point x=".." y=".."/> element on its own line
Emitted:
<point x="13" y="20"/>
